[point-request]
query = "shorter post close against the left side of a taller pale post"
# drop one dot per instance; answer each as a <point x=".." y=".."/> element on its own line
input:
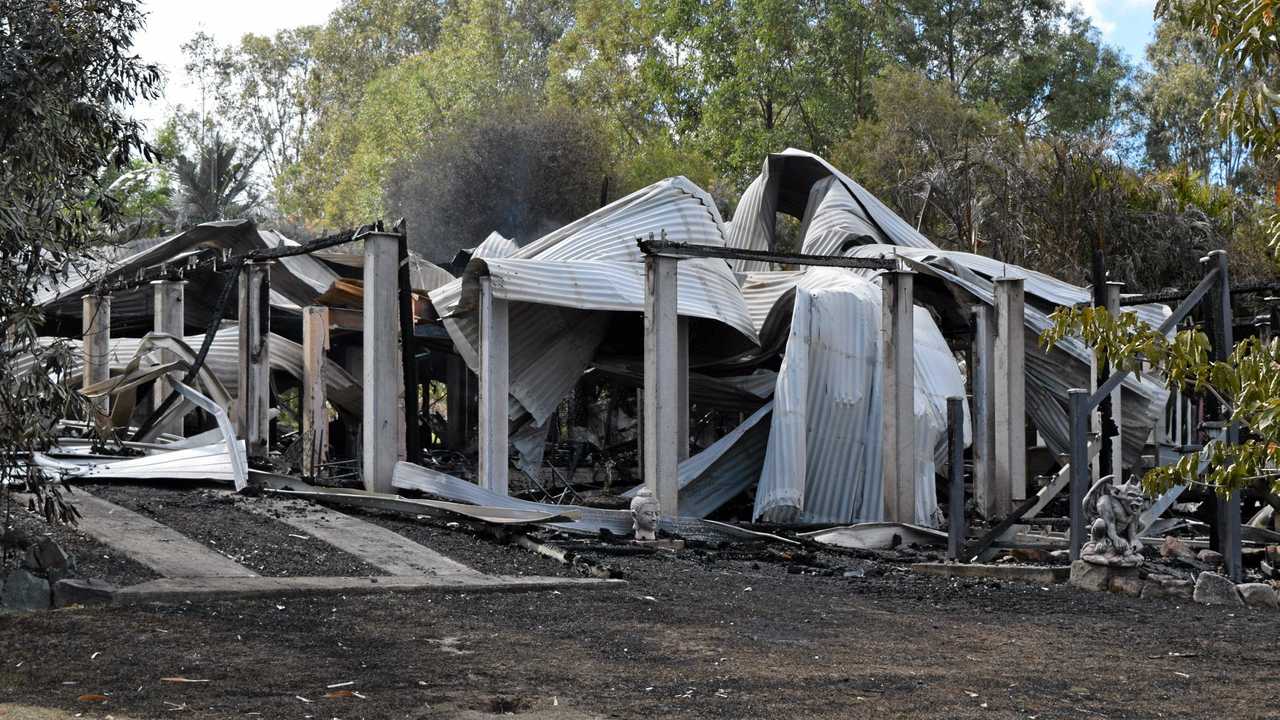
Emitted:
<point x="988" y="493"/>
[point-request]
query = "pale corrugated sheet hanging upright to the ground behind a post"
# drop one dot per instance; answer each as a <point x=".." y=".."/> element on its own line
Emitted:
<point x="825" y="462"/>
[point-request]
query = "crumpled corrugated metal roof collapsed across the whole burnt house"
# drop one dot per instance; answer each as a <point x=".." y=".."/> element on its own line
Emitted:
<point x="796" y="350"/>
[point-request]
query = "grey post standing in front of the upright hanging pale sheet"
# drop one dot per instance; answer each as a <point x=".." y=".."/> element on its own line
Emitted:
<point x="898" y="347"/>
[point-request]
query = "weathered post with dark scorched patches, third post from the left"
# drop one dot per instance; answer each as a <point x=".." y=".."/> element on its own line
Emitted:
<point x="253" y="405"/>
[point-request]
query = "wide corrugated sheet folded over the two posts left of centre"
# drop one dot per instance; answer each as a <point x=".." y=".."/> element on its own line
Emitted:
<point x="563" y="285"/>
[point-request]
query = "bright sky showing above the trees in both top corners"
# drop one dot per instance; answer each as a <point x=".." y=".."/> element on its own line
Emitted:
<point x="1123" y="24"/>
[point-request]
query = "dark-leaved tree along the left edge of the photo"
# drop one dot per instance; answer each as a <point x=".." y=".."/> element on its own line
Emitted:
<point x="66" y="76"/>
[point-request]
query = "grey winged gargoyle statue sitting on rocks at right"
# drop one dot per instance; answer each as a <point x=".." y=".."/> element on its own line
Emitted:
<point x="1114" y="534"/>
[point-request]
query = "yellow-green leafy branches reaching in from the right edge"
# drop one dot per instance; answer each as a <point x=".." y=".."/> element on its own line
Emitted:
<point x="1246" y="385"/>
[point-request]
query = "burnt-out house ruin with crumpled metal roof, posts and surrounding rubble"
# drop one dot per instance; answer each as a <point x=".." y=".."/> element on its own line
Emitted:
<point x="652" y="371"/>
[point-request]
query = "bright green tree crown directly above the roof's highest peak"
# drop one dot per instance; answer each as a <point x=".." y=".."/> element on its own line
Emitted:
<point x="765" y="75"/>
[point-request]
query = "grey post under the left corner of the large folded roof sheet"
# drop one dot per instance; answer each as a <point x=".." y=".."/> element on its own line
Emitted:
<point x="495" y="389"/>
